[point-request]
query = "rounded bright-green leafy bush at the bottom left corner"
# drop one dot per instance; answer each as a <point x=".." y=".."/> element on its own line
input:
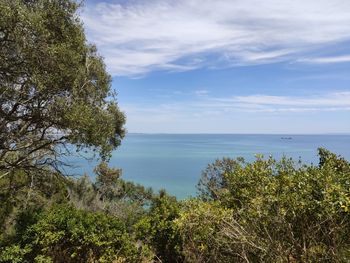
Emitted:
<point x="66" y="234"/>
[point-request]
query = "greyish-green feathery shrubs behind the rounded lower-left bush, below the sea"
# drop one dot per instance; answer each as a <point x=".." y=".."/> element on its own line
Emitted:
<point x="110" y="194"/>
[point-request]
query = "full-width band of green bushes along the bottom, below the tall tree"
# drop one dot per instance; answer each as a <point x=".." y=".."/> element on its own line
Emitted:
<point x="264" y="211"/>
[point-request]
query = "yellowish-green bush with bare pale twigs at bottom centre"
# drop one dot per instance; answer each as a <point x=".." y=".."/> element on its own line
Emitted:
<point x="210" y="233"/>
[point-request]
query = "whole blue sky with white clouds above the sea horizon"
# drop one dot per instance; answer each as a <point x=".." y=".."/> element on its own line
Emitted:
<point x="226" y="66"/>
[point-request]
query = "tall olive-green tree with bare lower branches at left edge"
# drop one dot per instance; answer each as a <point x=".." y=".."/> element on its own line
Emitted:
<point x="54" y="88"/>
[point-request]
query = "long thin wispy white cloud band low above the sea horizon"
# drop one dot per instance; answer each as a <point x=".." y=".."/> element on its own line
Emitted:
<point x="204" y="105"/>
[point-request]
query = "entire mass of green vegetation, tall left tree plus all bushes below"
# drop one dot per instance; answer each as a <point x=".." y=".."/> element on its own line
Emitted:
<point x="55" y="92"/>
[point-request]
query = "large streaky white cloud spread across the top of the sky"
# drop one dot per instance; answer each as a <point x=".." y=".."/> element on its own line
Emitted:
<point x="140" y="36"/>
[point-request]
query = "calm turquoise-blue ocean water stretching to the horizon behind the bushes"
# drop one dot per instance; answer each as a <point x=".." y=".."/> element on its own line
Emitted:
<point x="175" y="161"/>
